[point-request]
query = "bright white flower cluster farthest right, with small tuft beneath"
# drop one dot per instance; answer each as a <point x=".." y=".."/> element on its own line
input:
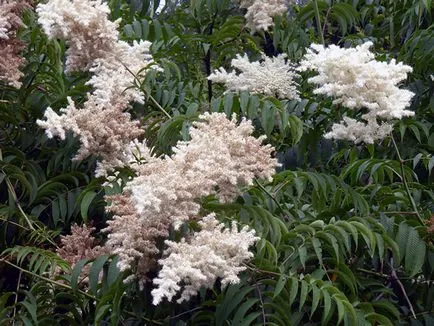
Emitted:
<point x="357" y="81"/>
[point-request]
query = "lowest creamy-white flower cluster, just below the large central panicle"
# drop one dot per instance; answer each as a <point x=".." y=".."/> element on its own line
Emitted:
<point x="212" y="253"/>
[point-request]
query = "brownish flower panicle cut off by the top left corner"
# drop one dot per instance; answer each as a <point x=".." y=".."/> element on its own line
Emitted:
<point x="10" y="46"/>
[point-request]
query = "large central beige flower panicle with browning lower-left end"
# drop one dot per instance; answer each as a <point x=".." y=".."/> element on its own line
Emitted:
<point x="220" y="157"/>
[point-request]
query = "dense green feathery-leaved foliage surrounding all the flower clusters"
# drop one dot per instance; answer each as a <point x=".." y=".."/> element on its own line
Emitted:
<point x="341" y="240"/>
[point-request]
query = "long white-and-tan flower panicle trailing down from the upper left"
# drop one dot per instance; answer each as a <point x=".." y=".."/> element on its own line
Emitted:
<point x="93" y="44"/>
